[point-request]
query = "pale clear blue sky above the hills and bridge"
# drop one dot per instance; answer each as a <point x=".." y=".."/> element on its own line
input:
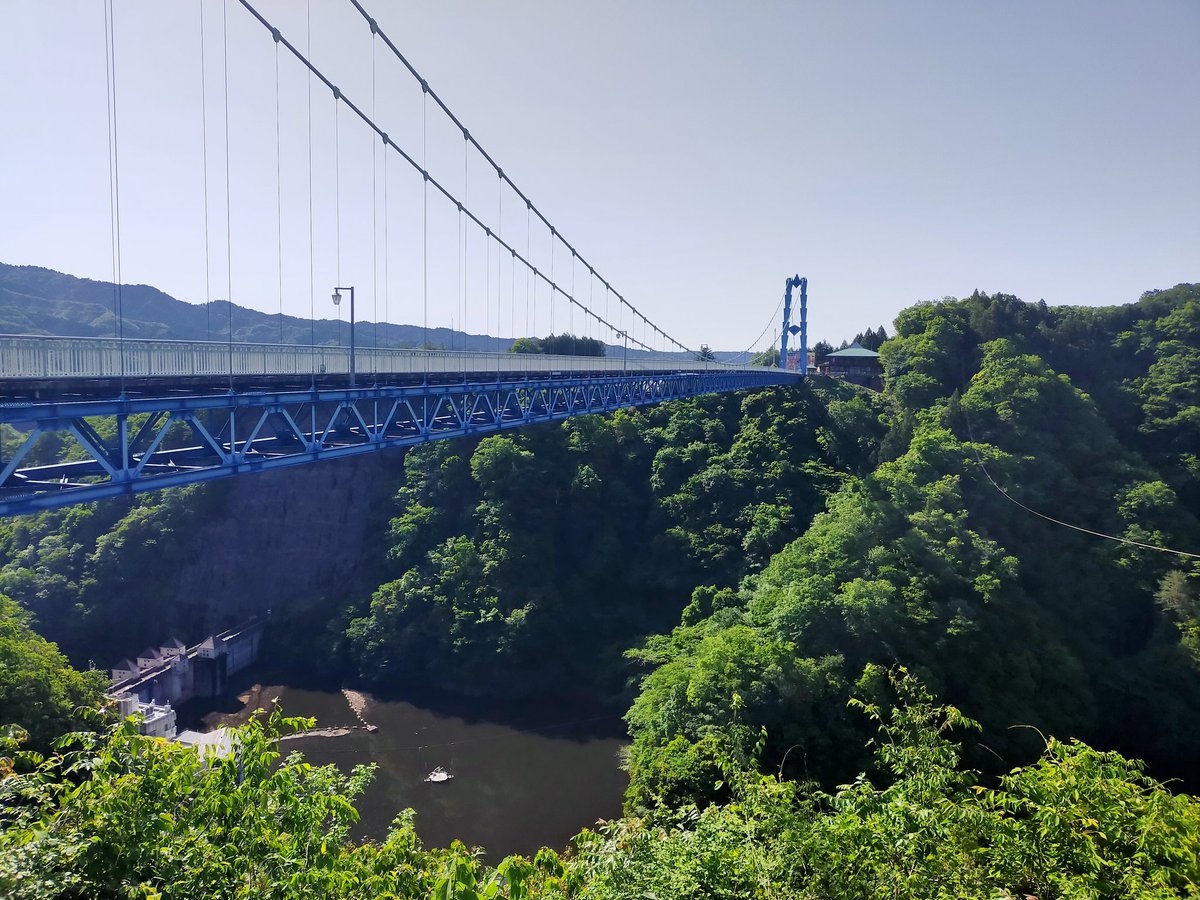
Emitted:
<point x="695" y="153"/>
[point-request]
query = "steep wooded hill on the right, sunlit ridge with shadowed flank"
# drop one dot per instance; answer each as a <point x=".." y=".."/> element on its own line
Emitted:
<point x="925" y="562"/>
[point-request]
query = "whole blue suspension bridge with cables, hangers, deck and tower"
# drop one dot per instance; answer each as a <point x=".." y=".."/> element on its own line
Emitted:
<point x="143" y="415"/>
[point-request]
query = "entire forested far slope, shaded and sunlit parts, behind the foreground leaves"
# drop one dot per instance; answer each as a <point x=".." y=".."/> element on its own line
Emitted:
<point x="580" y="538"/>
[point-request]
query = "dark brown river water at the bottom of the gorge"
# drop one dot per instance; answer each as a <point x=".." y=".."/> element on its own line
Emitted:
<point x="530" y="778"/>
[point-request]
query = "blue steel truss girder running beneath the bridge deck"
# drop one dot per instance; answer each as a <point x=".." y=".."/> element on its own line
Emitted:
<point x="261" y="430"/>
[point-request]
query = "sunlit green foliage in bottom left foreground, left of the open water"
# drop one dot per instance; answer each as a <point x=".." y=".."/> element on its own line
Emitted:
<point x="123" y="815"/>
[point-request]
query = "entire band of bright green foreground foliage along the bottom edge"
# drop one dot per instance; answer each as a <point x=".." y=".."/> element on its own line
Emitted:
<point x="1077" y="824"/>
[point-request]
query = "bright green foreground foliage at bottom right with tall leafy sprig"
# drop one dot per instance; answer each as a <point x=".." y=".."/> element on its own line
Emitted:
<point x="1076" y="824"/>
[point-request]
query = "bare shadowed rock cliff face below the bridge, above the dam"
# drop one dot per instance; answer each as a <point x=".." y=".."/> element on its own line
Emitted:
<point x="291" y="539"/>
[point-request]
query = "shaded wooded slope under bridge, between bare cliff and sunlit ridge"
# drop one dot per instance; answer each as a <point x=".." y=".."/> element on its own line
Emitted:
<point x="587" y="536"/>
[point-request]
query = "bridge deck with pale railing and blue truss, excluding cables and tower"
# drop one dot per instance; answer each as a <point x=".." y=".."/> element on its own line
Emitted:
<point x="177" y="424"/>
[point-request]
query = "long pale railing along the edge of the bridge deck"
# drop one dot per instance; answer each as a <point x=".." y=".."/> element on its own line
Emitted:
<point x="52" y="358"/>
